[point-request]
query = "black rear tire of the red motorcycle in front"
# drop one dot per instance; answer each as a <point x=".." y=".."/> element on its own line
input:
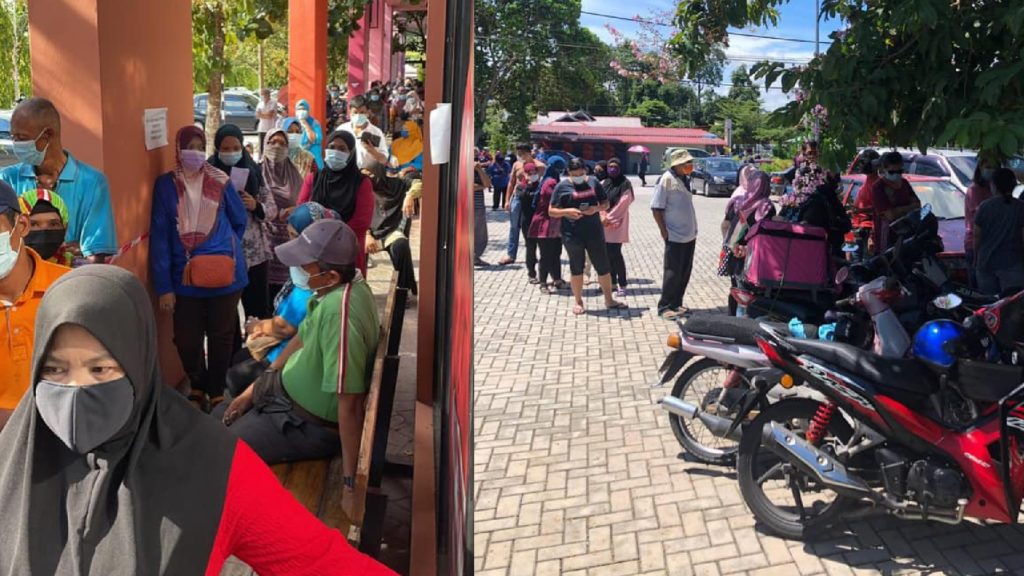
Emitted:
<point x="750" y="469"/>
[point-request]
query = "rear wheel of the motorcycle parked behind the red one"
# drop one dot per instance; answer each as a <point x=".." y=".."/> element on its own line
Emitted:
<point x="697" y="386"/>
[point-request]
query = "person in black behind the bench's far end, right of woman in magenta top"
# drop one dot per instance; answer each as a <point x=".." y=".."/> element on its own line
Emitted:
<point x="390" y="230"/>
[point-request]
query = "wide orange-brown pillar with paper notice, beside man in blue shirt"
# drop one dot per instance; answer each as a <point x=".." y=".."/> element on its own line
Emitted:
<point x="103" y="63"/>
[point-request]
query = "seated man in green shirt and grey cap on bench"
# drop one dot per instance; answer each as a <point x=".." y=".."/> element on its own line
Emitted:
<point x="313" y="395"/>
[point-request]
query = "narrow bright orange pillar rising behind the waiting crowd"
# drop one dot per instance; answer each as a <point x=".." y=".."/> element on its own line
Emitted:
<point x="308" y="57"/>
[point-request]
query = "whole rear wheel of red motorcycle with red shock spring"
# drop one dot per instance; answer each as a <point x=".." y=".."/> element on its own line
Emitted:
<point x="778" y="492"/>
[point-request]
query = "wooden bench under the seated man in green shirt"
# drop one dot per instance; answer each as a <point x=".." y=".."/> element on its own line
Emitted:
<point x="318" y="484"/>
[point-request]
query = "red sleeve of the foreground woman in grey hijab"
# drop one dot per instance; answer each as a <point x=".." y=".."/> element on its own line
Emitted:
<point x="266" y="527"/>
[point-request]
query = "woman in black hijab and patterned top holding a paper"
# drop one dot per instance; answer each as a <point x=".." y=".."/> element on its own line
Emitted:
<point x="232" y="154"/>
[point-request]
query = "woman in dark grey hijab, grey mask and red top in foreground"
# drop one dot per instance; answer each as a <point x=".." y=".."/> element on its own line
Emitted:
<point x="105" y="470"/>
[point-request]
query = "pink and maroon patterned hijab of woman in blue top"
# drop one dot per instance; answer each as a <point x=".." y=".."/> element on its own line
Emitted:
<point x="196" y="220"/>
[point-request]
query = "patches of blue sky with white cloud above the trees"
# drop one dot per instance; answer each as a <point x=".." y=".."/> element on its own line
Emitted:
<point x="797" y="21"/>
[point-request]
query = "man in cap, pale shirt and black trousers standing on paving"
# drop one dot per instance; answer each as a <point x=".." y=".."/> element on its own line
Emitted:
<point x="673" y="208"/>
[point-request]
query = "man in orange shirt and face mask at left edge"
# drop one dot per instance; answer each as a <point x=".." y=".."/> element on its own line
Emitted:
<point x="24" y="278"/>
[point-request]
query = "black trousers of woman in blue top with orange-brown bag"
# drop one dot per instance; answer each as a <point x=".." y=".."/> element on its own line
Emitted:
<point x="217" y="321"/>
